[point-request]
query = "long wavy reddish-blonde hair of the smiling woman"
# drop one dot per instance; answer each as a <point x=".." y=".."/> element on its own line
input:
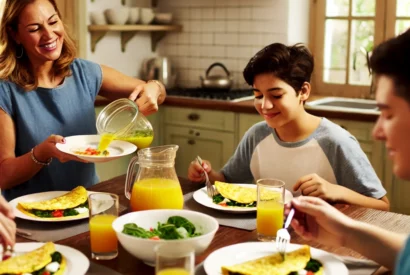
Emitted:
<point x="19" y="70"/>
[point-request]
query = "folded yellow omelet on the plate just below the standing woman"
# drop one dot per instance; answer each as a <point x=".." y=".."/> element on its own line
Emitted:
<point x="71" y="199"/>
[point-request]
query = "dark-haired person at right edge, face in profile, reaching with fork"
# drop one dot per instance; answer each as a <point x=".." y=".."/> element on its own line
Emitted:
<point x="319" y="221"/>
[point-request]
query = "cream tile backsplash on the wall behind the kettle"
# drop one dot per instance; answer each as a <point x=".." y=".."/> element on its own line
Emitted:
<point x="226" y="31"/>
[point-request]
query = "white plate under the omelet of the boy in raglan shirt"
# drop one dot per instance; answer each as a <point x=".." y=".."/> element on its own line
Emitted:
<point x="201" y="197"/>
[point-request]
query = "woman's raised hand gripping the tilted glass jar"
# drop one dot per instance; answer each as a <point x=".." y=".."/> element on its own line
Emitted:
<point x="147" y="96"/>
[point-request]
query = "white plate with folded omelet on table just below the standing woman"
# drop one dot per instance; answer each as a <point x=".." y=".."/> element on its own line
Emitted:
<point x="53" y="206"/>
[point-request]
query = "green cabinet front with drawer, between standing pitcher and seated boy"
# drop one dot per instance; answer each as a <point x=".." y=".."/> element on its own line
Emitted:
<point x="209" y="134"/>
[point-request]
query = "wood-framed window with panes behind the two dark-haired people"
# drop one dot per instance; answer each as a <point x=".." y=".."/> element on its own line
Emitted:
<point x="343" y="34"/>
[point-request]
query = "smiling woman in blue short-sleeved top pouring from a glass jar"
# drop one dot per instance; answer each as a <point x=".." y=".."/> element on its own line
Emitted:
<point x="46" y="94"/>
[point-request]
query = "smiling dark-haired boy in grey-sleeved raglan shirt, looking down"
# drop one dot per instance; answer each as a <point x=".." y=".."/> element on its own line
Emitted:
<point x="312" y="155"/>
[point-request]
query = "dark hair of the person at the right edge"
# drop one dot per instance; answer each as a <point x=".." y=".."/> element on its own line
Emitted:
<point x="392" y="59"/>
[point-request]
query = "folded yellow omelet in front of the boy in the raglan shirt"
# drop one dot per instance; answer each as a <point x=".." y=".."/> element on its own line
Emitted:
<point x="242" y="194"/>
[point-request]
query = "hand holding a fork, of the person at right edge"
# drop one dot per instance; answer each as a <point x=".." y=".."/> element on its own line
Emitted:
<point x="316" y="220"/>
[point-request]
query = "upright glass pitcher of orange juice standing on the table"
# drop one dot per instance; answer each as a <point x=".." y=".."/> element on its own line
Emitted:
<point x="155" y="184"/>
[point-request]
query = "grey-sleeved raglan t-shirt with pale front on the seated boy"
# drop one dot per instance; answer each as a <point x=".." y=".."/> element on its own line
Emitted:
<point x="330" y="151"/>
